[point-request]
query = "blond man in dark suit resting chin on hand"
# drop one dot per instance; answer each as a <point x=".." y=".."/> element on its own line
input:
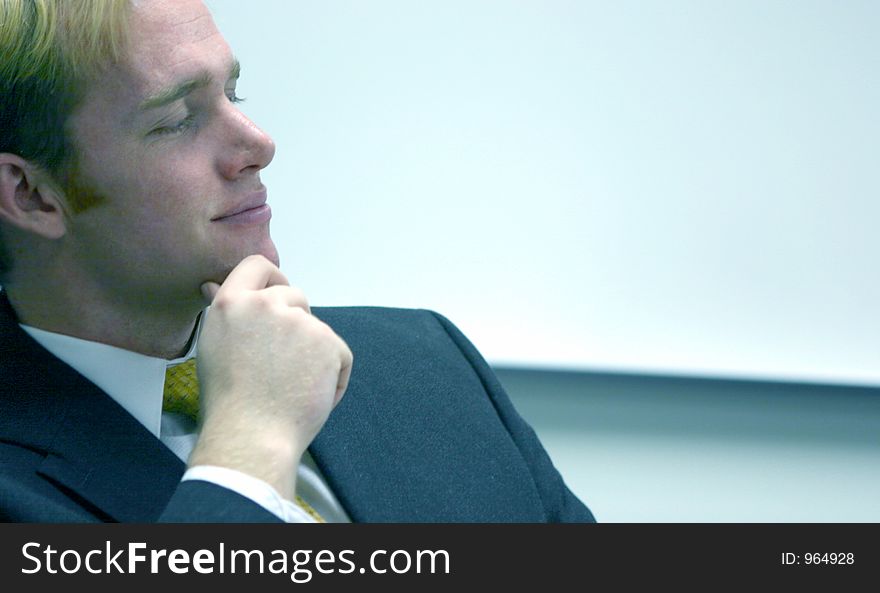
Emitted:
<point x="130" y="198"/>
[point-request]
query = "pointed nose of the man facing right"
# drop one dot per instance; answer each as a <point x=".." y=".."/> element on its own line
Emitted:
<point x="247" y="148"/>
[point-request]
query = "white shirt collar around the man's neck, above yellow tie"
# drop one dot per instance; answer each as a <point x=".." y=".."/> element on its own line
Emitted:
<point x="135" y="381"/>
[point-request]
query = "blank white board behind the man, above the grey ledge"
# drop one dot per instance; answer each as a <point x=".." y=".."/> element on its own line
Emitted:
<point x="681" y="186"/>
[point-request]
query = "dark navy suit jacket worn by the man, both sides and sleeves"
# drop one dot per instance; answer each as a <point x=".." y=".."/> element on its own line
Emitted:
<point x="425" y="433"/>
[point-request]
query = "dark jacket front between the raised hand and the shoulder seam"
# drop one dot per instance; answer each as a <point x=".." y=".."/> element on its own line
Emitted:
<point x="415" y="437"/>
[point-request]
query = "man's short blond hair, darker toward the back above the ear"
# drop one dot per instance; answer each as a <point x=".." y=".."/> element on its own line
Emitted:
<point x="49" y="51"/>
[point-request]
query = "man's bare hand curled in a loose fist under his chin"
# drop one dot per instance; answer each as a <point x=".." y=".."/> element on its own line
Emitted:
<point x="269" y="375"/>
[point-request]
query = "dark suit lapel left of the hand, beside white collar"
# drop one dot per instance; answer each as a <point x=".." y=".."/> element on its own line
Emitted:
<point x="92" y="446"/>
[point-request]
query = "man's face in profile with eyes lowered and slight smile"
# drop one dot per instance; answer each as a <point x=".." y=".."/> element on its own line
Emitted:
<point x="166" y="154"/>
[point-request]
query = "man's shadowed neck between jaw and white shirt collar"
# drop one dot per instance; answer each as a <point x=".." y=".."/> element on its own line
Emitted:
<point x="138" y="325"/>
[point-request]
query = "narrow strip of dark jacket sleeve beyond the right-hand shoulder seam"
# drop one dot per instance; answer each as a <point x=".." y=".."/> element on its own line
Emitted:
<point x="561" y="505"/>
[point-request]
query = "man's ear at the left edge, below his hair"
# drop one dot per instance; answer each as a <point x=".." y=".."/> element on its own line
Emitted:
<point x="29" y="199"/>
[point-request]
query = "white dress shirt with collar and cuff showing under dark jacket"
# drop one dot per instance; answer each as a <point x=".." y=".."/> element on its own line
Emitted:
<point x="136" y="382"/>
